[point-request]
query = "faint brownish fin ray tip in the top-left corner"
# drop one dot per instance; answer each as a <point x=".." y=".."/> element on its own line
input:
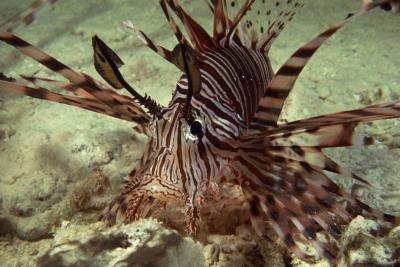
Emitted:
<point x="27" y="16"/>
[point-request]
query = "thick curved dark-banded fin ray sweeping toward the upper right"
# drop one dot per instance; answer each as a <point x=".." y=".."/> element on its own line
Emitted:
<point x="284" y="80"/>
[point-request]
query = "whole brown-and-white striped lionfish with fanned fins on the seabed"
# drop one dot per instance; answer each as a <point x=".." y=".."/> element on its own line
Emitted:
<point x="223" y="119"/>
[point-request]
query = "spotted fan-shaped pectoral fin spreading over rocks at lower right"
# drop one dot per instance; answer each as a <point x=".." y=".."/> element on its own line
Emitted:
<point x="287" y="182"/>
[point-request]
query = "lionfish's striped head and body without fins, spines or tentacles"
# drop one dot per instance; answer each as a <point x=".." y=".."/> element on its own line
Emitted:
<point x="190" y="163"/>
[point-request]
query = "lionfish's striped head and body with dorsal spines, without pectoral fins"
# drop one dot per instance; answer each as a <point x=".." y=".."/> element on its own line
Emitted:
<point x="194" y="138"/>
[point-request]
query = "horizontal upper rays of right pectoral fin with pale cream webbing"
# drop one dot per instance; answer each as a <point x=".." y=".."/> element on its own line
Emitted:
<point x="304" y="140"/>
